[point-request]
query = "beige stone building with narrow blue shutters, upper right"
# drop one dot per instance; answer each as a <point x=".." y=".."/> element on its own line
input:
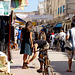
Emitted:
<point x="61" y="10"/>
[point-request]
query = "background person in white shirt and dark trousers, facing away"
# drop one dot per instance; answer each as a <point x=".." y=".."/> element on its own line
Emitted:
<point x="62" y="37"/>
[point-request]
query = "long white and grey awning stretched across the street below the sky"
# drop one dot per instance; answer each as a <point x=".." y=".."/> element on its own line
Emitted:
<point x="35" y="17"/>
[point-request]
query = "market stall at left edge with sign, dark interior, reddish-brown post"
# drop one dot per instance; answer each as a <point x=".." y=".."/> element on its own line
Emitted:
<point x="5" y="32"/>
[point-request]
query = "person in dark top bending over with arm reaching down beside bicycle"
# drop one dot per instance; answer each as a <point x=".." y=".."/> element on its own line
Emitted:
<point x="42" y="44"/>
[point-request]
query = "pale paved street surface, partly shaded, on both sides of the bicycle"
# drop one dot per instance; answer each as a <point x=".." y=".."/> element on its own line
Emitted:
<point x="58" y="60"/>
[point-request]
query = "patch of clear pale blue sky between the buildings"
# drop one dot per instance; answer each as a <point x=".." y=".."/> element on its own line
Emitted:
<point x="32" y="6"/>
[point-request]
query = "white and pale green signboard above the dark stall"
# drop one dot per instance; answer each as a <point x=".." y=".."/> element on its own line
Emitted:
<point x="5" y="9"/>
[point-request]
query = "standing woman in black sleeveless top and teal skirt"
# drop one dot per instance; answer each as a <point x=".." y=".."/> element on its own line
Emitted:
<point x="26" y="43"/>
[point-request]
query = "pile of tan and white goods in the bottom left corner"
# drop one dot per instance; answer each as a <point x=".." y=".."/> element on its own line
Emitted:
<point x="4" y="64"/>
